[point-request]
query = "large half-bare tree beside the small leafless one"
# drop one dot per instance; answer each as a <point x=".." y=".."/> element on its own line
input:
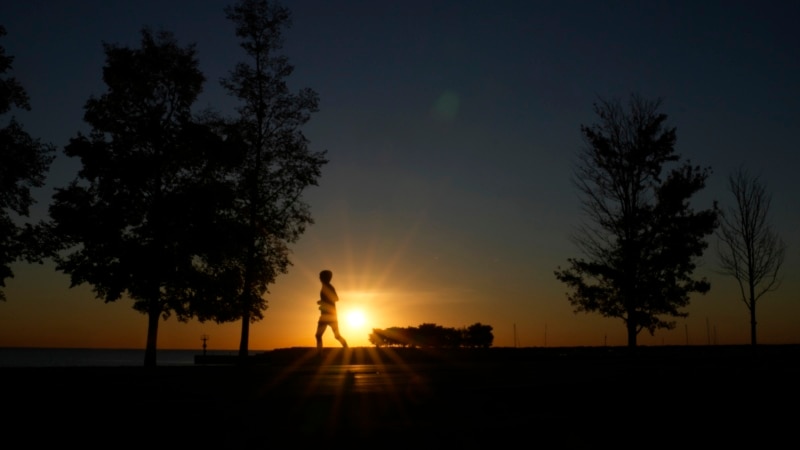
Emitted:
<point x="642" y="236"/>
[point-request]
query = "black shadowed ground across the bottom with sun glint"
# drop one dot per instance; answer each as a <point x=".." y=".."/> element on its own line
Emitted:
<point x="655" y="397"/>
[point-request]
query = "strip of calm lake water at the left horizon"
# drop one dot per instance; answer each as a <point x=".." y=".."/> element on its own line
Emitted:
<point x="81" y="357"/>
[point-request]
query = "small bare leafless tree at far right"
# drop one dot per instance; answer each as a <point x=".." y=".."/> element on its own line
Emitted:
<point x="750" y="250"/>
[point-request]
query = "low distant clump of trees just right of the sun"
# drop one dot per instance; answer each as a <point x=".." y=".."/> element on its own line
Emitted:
<point x="432" y="335"/>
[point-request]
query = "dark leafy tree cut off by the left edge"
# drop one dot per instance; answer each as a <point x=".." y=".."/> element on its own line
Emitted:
<point x="23" y="165"/>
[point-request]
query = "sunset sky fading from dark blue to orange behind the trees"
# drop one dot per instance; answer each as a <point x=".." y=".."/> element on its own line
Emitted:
<point x="451" y="127"/>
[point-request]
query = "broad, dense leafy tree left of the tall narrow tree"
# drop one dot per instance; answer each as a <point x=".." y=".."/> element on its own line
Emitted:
<point x="127" y="225"/>
